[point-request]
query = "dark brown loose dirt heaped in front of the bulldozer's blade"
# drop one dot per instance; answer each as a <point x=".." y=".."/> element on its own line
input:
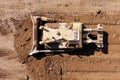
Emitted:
<point x="23" y="37"/>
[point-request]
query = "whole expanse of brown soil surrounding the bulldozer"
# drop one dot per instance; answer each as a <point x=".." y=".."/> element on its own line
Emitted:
<point x="86" y="64"/>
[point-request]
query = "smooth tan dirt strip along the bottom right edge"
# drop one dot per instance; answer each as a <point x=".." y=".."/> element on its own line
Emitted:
<point x="91" y="76"/>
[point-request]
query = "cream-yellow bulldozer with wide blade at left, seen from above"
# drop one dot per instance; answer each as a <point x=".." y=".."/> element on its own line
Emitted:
<point x="52" y="35"/>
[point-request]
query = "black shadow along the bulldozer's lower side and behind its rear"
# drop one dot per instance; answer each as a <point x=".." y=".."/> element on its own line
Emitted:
<point x="87" y="50"/>
